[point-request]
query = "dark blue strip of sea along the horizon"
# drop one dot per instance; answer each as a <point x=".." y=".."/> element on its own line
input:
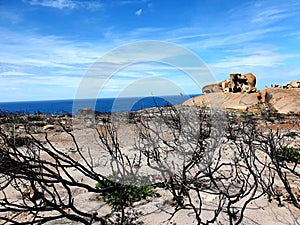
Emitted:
<point x="101" y="105"/>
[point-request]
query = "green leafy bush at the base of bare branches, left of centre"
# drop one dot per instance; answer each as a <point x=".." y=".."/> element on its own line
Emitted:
<point x="122" y="195"/>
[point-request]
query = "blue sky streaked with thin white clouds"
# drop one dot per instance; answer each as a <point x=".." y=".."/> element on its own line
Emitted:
<point x="66" y="49"/>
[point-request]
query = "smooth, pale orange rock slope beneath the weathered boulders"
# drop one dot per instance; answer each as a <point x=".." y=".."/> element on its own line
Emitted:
<point x="277" y="99"/>
